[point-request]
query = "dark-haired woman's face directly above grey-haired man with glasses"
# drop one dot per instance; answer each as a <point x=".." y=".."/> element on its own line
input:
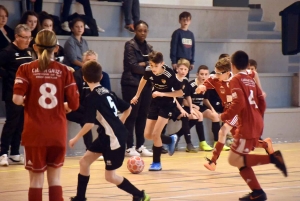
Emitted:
<point x="31" y="19"/>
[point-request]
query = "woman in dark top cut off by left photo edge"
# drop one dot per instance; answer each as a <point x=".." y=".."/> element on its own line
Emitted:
<point x="6" y="33"/>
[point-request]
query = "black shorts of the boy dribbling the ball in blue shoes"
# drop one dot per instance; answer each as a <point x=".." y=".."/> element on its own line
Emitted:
<point x="162" y="108"/>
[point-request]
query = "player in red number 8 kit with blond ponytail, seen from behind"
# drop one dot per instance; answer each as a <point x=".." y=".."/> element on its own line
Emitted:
<point x="41" y="87"/>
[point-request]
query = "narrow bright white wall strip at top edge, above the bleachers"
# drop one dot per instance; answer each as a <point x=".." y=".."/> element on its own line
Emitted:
<point x="179" y="2"/>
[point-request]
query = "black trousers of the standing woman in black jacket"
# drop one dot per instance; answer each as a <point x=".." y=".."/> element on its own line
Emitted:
<point x="138" y="116"/>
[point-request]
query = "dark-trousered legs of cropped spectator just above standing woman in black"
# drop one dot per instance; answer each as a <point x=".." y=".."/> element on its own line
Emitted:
<point x="131" y="9"/>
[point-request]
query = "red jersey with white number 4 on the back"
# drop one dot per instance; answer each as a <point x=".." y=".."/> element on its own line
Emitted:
<point x="248" y="103"/>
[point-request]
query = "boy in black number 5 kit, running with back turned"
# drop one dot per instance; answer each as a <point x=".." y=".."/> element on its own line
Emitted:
<point x="102" y="105"/>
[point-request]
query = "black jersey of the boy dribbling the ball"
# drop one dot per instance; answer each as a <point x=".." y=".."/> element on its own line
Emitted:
<point x="164" y="82"/>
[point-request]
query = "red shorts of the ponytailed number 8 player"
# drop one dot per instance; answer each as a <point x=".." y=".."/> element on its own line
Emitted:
<point x="37" y="159"/>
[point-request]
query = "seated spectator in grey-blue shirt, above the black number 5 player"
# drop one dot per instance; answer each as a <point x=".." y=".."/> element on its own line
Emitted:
<point x="75" y="45"/>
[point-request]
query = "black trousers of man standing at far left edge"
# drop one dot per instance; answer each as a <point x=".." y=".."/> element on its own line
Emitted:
<point x="12" y="129"/>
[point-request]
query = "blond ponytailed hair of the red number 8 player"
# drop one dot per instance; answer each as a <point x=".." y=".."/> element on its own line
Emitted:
<point x="46" y="42"/>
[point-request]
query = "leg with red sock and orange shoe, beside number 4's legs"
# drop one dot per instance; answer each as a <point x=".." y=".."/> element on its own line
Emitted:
<point x="211" y="164"/>
